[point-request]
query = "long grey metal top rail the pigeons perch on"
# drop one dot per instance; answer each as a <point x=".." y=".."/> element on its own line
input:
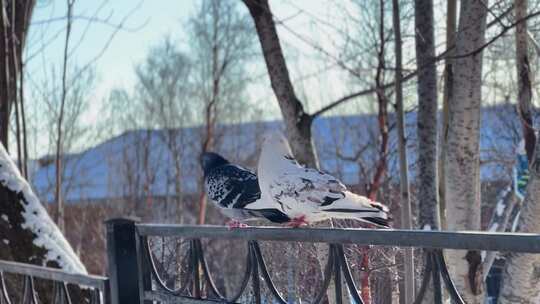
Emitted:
<point x="467" y="240"/>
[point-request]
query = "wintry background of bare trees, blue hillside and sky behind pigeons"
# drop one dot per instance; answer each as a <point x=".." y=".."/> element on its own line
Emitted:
<point x="426" y="106"/>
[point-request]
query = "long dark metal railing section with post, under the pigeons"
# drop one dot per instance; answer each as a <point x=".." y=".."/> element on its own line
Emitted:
<point x="132" y="258"/>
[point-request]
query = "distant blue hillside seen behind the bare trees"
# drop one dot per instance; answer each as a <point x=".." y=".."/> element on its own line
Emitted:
<point x="142" y="162"/>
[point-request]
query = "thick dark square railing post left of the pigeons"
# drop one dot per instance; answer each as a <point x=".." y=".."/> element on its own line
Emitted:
<point x="124" y="269"/>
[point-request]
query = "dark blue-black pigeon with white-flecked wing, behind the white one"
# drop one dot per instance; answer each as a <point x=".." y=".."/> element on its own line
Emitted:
<point x="234" y="189"/>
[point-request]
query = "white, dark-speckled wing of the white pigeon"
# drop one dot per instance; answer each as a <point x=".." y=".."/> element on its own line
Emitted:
<point x="306" y="186"/>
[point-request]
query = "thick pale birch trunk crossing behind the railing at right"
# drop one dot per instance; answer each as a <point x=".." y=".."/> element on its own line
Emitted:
<point x="462" y="163"/>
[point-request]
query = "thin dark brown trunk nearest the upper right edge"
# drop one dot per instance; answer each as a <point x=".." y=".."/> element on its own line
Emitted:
<point x="524" y="78"/>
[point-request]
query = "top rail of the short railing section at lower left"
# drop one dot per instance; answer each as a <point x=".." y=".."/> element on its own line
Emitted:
<point x="53" y="274"/>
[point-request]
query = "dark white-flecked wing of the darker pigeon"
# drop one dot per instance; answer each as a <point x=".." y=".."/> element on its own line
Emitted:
<point x="232" y="186"/>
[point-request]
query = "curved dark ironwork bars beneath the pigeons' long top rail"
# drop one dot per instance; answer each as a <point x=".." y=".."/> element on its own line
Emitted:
<point x="256" y="268"/>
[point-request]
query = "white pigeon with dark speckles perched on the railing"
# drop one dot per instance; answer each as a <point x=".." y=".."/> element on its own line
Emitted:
<point x="308" y="195"/>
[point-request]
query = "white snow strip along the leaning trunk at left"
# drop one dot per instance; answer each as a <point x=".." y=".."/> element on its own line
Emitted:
<point x="36" y="219"/>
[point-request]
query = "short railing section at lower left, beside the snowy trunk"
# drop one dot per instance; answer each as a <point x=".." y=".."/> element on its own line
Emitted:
<point x="95" y="289"/>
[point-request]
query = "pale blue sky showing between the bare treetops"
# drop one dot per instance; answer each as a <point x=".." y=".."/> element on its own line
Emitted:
<point x="307" y="22"/>
